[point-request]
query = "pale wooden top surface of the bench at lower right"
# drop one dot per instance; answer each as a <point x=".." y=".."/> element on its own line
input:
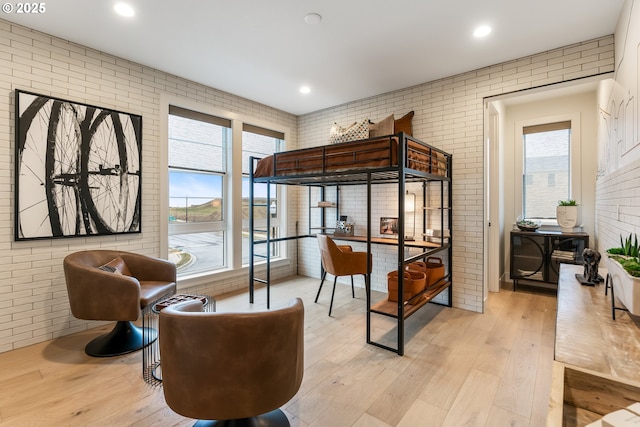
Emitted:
<point x="587" y="336"/>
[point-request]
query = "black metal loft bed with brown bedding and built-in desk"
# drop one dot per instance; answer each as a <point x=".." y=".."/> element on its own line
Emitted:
<point x="393" y="159"/>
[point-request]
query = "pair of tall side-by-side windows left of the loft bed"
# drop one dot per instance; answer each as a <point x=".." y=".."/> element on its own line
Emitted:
<point x="206" y="231"/>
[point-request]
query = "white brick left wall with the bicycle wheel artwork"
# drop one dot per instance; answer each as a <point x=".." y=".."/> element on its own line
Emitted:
<point x="33" y="299"/>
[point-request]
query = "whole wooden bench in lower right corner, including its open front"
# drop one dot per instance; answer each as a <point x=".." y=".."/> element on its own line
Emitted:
<point x="597" y="359"/>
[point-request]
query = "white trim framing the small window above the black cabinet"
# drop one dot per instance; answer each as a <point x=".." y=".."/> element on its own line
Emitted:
<point x="575" y="158"/>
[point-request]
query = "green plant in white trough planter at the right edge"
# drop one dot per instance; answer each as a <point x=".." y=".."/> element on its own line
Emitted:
<point x="624" y="272"/>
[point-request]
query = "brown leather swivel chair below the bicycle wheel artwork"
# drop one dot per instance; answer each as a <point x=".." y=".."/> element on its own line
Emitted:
<point x="116" y="286"/>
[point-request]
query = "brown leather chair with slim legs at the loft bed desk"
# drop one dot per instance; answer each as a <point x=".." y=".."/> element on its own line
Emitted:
<point x="340" y="260"/>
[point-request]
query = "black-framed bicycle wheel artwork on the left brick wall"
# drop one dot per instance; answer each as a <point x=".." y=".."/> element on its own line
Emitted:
<point x="78" y="169"/>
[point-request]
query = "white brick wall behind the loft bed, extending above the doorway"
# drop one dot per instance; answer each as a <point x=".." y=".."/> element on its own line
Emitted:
<point x="449" y="115"/>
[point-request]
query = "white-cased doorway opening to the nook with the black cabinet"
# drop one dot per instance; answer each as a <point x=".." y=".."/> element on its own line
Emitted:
<point x="503" y="115"/>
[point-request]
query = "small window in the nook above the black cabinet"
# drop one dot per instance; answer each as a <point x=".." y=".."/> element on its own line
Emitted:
<point x="546" y="168"/>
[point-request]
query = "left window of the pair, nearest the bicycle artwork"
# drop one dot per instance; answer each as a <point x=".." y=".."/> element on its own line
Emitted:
<point x="197" y="174"/>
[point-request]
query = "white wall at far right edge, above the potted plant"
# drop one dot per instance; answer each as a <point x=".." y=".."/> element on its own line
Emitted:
<point x="618" y="183"/>
